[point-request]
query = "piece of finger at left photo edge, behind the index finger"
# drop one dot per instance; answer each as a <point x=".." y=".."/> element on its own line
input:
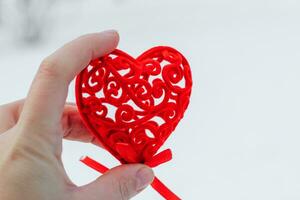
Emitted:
<point x="9" y="115"/>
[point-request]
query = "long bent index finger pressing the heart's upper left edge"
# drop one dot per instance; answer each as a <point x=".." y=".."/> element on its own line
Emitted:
<point x="46" y="98"/>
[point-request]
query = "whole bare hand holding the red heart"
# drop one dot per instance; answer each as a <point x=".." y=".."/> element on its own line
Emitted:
<point x="32" y="130"/>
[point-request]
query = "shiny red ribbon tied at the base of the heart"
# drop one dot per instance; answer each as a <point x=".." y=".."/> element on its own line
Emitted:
<point x="157" y="160"/>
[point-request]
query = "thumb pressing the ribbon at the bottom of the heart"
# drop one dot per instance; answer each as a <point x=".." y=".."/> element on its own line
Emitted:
<point x="123" y="182"/>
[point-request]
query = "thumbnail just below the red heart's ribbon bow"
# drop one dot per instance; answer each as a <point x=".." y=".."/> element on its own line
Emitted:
<point x="144" y="177"/>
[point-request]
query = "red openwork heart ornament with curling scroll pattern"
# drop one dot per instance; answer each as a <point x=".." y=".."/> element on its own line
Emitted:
<point x="133" y="105"/>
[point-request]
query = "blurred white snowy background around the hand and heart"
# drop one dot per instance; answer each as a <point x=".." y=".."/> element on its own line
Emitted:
<point x="240" y="138"/>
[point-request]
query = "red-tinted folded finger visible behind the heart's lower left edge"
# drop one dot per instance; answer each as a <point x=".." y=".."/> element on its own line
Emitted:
<point x="74" y="128"/>
